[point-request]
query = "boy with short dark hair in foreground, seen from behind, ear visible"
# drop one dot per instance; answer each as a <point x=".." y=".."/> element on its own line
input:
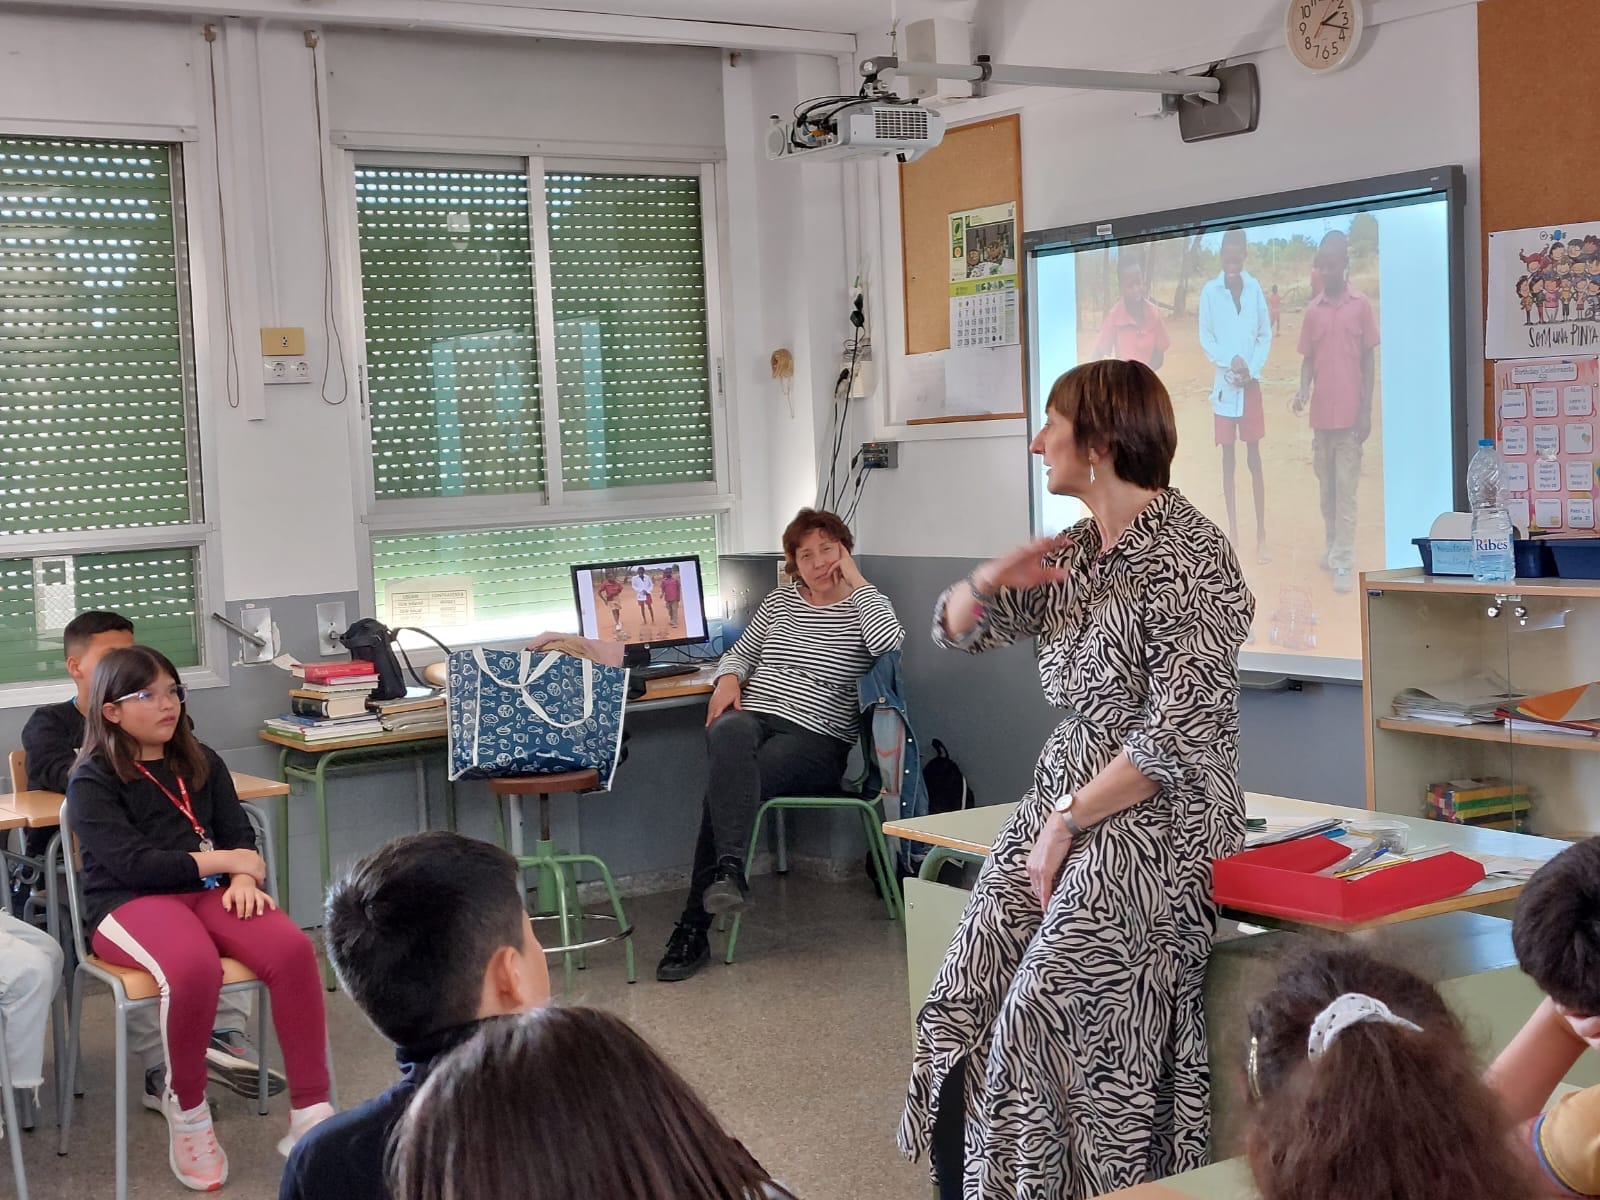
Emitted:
<point x="430" y="938"/>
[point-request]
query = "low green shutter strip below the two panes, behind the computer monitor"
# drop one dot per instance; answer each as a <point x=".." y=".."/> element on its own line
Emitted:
<point x="518" y="574"/>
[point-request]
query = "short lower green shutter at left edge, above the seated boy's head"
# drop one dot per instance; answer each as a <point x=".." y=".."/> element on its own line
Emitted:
<point x="156" y="590"/>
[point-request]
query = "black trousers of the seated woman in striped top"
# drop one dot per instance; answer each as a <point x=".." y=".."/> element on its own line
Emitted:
<point x="754" y="758"/>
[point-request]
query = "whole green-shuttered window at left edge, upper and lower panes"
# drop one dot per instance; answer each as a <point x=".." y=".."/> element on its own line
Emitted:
<point x="100" y="484"/>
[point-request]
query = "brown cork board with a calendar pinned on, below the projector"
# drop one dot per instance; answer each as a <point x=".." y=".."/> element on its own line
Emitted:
<point x="974" y="167"/>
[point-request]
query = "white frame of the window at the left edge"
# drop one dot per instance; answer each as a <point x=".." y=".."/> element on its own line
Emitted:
<point x="202" y="362"/>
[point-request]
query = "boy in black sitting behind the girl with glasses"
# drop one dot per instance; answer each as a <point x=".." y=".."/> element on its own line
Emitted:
<point x="52" y="740"/>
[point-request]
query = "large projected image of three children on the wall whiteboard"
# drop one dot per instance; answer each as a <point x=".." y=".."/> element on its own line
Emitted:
<point x="1311" y="345"/>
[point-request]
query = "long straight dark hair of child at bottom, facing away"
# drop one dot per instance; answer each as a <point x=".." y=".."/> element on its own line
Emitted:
<point x="566" y="1103"/>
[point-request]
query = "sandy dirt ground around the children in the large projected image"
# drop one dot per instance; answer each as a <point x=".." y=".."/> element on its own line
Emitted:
<point x="1295" y="527"/>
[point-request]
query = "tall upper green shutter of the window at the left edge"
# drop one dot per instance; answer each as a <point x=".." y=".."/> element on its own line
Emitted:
<point x="95" y="410"/>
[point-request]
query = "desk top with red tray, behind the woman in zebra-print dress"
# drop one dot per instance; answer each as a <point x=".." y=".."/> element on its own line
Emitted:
<point x="975" y="831"/>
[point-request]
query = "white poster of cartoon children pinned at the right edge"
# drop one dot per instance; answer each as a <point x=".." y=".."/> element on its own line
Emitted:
<point x="1545" y="292"/>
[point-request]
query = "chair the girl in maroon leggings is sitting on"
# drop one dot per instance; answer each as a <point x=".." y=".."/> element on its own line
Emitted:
<point x="132" y="988"/>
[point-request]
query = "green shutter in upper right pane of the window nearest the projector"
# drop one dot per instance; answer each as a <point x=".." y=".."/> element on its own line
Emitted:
<point x="628" y="271"/>
